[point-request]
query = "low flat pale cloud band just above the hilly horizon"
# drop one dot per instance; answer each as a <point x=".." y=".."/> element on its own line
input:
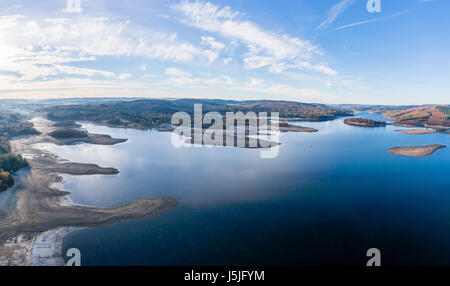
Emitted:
<point x="192" y="87"/>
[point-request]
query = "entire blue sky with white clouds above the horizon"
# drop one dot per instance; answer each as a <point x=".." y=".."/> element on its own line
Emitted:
<point x="327" y="51"/>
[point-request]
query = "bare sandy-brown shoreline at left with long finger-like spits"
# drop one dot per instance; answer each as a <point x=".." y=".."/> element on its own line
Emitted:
<point x="39" y="214"/>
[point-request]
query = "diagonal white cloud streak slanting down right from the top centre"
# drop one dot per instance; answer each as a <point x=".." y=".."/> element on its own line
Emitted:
<point x="266" y="49"/>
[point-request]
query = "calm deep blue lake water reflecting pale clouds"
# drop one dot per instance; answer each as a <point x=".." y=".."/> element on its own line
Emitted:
<point x="327" y="198"/>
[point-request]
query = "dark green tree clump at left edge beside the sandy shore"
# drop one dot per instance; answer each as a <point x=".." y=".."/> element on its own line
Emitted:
<point x="9" y="163"/>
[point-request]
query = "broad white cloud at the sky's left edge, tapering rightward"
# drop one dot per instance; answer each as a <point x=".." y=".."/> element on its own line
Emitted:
<point x="39" y="48"/>
